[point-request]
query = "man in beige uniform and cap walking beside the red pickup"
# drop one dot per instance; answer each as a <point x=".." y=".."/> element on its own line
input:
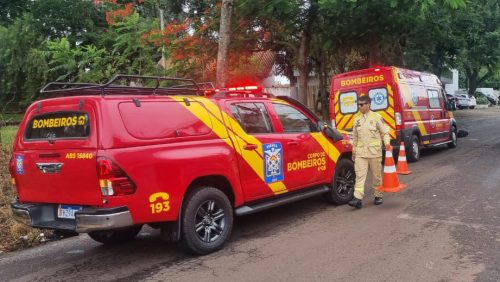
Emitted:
<point x="369" y="131"/>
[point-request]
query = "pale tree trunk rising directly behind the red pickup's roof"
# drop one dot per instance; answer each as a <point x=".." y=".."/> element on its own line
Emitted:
<point x="224" y="39"/>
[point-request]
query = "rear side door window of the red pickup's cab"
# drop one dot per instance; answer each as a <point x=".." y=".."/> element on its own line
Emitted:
<point x="252" y="117"/>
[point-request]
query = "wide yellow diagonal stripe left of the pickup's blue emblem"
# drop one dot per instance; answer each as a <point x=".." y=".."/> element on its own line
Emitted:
<point x="253" y="157"/>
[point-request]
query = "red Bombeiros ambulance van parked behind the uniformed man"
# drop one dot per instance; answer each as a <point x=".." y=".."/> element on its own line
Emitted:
<point x="412" y="103"/>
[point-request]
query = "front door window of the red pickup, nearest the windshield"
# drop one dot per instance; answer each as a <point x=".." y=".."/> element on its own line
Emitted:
<point x="292" y="120"/>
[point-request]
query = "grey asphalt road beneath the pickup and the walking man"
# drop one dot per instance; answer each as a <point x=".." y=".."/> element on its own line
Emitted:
<point x="444" y="227"/>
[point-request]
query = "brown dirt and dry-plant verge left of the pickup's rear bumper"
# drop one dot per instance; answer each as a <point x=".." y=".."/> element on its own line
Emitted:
<point x="14" y="235"/>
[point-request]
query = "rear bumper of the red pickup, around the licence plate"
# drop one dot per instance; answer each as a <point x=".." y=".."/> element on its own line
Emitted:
<point x="87" y="220"/>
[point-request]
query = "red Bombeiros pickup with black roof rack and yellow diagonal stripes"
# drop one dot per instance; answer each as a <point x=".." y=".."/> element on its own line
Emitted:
<point x="106" y="159"/>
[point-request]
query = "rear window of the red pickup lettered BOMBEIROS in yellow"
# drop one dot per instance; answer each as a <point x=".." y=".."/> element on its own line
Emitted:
<point x="58" y="125"/>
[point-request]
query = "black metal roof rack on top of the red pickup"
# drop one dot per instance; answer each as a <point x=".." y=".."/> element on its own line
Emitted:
<point x="110" y="88"/>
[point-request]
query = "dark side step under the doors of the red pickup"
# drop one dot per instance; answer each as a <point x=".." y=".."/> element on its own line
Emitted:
<point x="281" y="200"/>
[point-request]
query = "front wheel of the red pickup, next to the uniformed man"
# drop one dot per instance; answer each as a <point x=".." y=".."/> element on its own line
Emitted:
<point x="342" y="189"/>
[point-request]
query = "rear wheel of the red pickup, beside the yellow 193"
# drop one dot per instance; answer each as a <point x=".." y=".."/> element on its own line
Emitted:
<point x="207" y="221"/>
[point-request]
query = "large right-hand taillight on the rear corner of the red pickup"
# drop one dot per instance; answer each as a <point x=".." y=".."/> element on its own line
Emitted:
<point x="112" y="179"/>
